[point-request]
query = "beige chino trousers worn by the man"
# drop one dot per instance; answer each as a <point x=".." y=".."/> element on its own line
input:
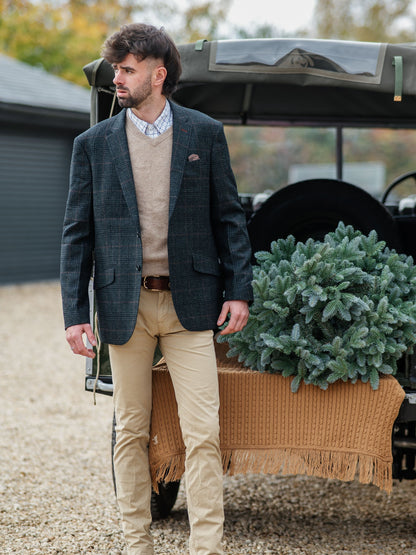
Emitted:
<point x="191" y="360"/>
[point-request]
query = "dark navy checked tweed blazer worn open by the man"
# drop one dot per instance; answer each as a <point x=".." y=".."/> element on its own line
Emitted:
<point x="208" y="246"/>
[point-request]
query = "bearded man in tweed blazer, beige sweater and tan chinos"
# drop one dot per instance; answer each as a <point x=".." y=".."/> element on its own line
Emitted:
<point x="153" y="201"/>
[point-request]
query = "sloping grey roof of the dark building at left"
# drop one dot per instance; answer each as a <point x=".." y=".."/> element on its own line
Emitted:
<point x="26" y="85"/>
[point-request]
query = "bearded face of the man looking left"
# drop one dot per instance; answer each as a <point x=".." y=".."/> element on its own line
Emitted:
<point x="133" y="81"/>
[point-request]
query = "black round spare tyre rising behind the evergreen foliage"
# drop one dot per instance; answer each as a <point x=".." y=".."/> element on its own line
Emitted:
<point x="314" y="207"/>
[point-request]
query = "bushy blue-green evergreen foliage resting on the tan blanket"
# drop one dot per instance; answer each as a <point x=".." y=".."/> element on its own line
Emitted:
<point x="339" y="309"/>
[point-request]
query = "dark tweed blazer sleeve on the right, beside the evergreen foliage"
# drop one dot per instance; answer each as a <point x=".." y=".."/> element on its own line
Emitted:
<point x="229" y="224"/>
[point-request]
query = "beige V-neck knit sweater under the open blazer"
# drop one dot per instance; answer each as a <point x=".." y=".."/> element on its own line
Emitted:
<point x="150" y="160"/>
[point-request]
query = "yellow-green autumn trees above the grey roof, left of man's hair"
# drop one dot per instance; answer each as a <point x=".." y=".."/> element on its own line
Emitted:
<point x="60" y="36"/>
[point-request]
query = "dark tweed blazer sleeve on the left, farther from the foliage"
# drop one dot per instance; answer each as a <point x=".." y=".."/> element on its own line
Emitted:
<point x="77" y="239"/>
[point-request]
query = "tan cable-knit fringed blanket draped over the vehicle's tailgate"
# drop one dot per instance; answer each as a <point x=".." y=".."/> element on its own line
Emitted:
<point x="343" y="432"/>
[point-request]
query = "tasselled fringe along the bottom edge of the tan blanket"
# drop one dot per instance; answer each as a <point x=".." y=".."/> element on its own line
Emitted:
<point x="345" y="466"/>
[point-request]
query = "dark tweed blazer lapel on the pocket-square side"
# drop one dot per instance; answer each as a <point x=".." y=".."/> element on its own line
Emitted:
<point x="180" y="147"/>
